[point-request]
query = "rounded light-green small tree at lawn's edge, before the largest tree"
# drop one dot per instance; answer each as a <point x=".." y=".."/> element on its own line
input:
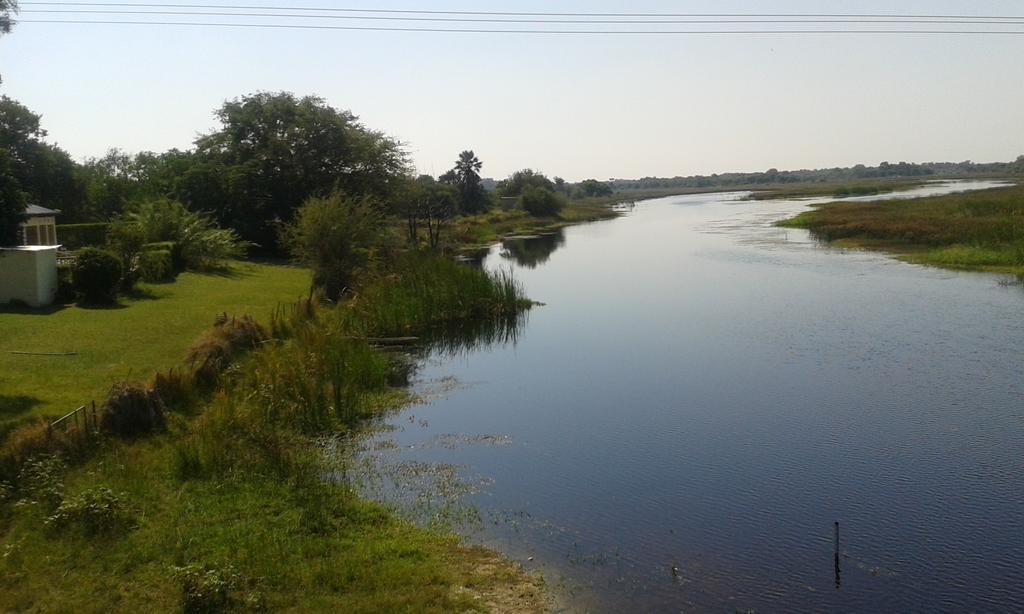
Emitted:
<point x="337" y="238"/>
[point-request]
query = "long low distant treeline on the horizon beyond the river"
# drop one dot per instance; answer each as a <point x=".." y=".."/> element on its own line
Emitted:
<point x="775" y="177"/>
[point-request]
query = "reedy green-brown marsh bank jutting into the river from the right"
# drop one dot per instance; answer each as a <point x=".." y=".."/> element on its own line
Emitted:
<point x="978" y="231"/>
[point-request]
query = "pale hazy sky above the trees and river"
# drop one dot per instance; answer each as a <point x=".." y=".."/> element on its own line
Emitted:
<point x="577" y="107"/>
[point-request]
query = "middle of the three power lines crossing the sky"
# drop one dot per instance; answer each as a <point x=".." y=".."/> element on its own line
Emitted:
<point x="898" y="21"/>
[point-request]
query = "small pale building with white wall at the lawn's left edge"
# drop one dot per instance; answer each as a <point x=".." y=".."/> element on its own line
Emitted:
<point x="29" y="273"/>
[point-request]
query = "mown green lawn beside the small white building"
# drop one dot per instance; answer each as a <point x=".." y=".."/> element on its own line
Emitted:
<point x="131" y="341"/>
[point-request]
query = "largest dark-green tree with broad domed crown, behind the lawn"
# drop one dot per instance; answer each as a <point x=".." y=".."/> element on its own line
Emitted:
<point x="274" y="152"/>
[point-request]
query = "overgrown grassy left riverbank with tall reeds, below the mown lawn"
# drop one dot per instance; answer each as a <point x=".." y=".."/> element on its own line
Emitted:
<point x="228" y="507"/>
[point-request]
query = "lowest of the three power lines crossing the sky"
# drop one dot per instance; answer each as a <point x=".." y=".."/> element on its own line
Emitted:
<point x="519" y="31"/>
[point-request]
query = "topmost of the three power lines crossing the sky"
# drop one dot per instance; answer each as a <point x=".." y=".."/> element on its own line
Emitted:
<point x="516" y="14"/>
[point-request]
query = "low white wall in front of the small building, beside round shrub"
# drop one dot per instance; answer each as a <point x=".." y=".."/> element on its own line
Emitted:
<point x="29" y="276"/>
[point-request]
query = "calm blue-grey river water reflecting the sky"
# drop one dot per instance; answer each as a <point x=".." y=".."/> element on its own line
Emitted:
<point x="705" y="391"/>
